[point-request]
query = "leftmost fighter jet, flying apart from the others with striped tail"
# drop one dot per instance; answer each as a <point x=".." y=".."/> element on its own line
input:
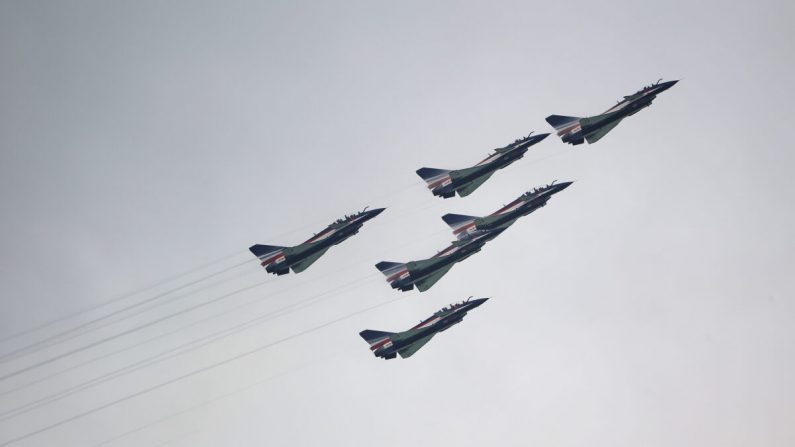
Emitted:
<point x="279" y="260"/>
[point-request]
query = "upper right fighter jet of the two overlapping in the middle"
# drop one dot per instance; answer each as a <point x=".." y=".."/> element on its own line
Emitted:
<point x="465" y="226"/>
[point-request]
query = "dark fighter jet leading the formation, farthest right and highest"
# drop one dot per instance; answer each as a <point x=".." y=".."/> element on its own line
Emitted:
<point x="574" y="130"/>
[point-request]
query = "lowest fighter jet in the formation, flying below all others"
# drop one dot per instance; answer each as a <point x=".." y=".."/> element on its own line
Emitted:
<point x="388" y="344"/>
